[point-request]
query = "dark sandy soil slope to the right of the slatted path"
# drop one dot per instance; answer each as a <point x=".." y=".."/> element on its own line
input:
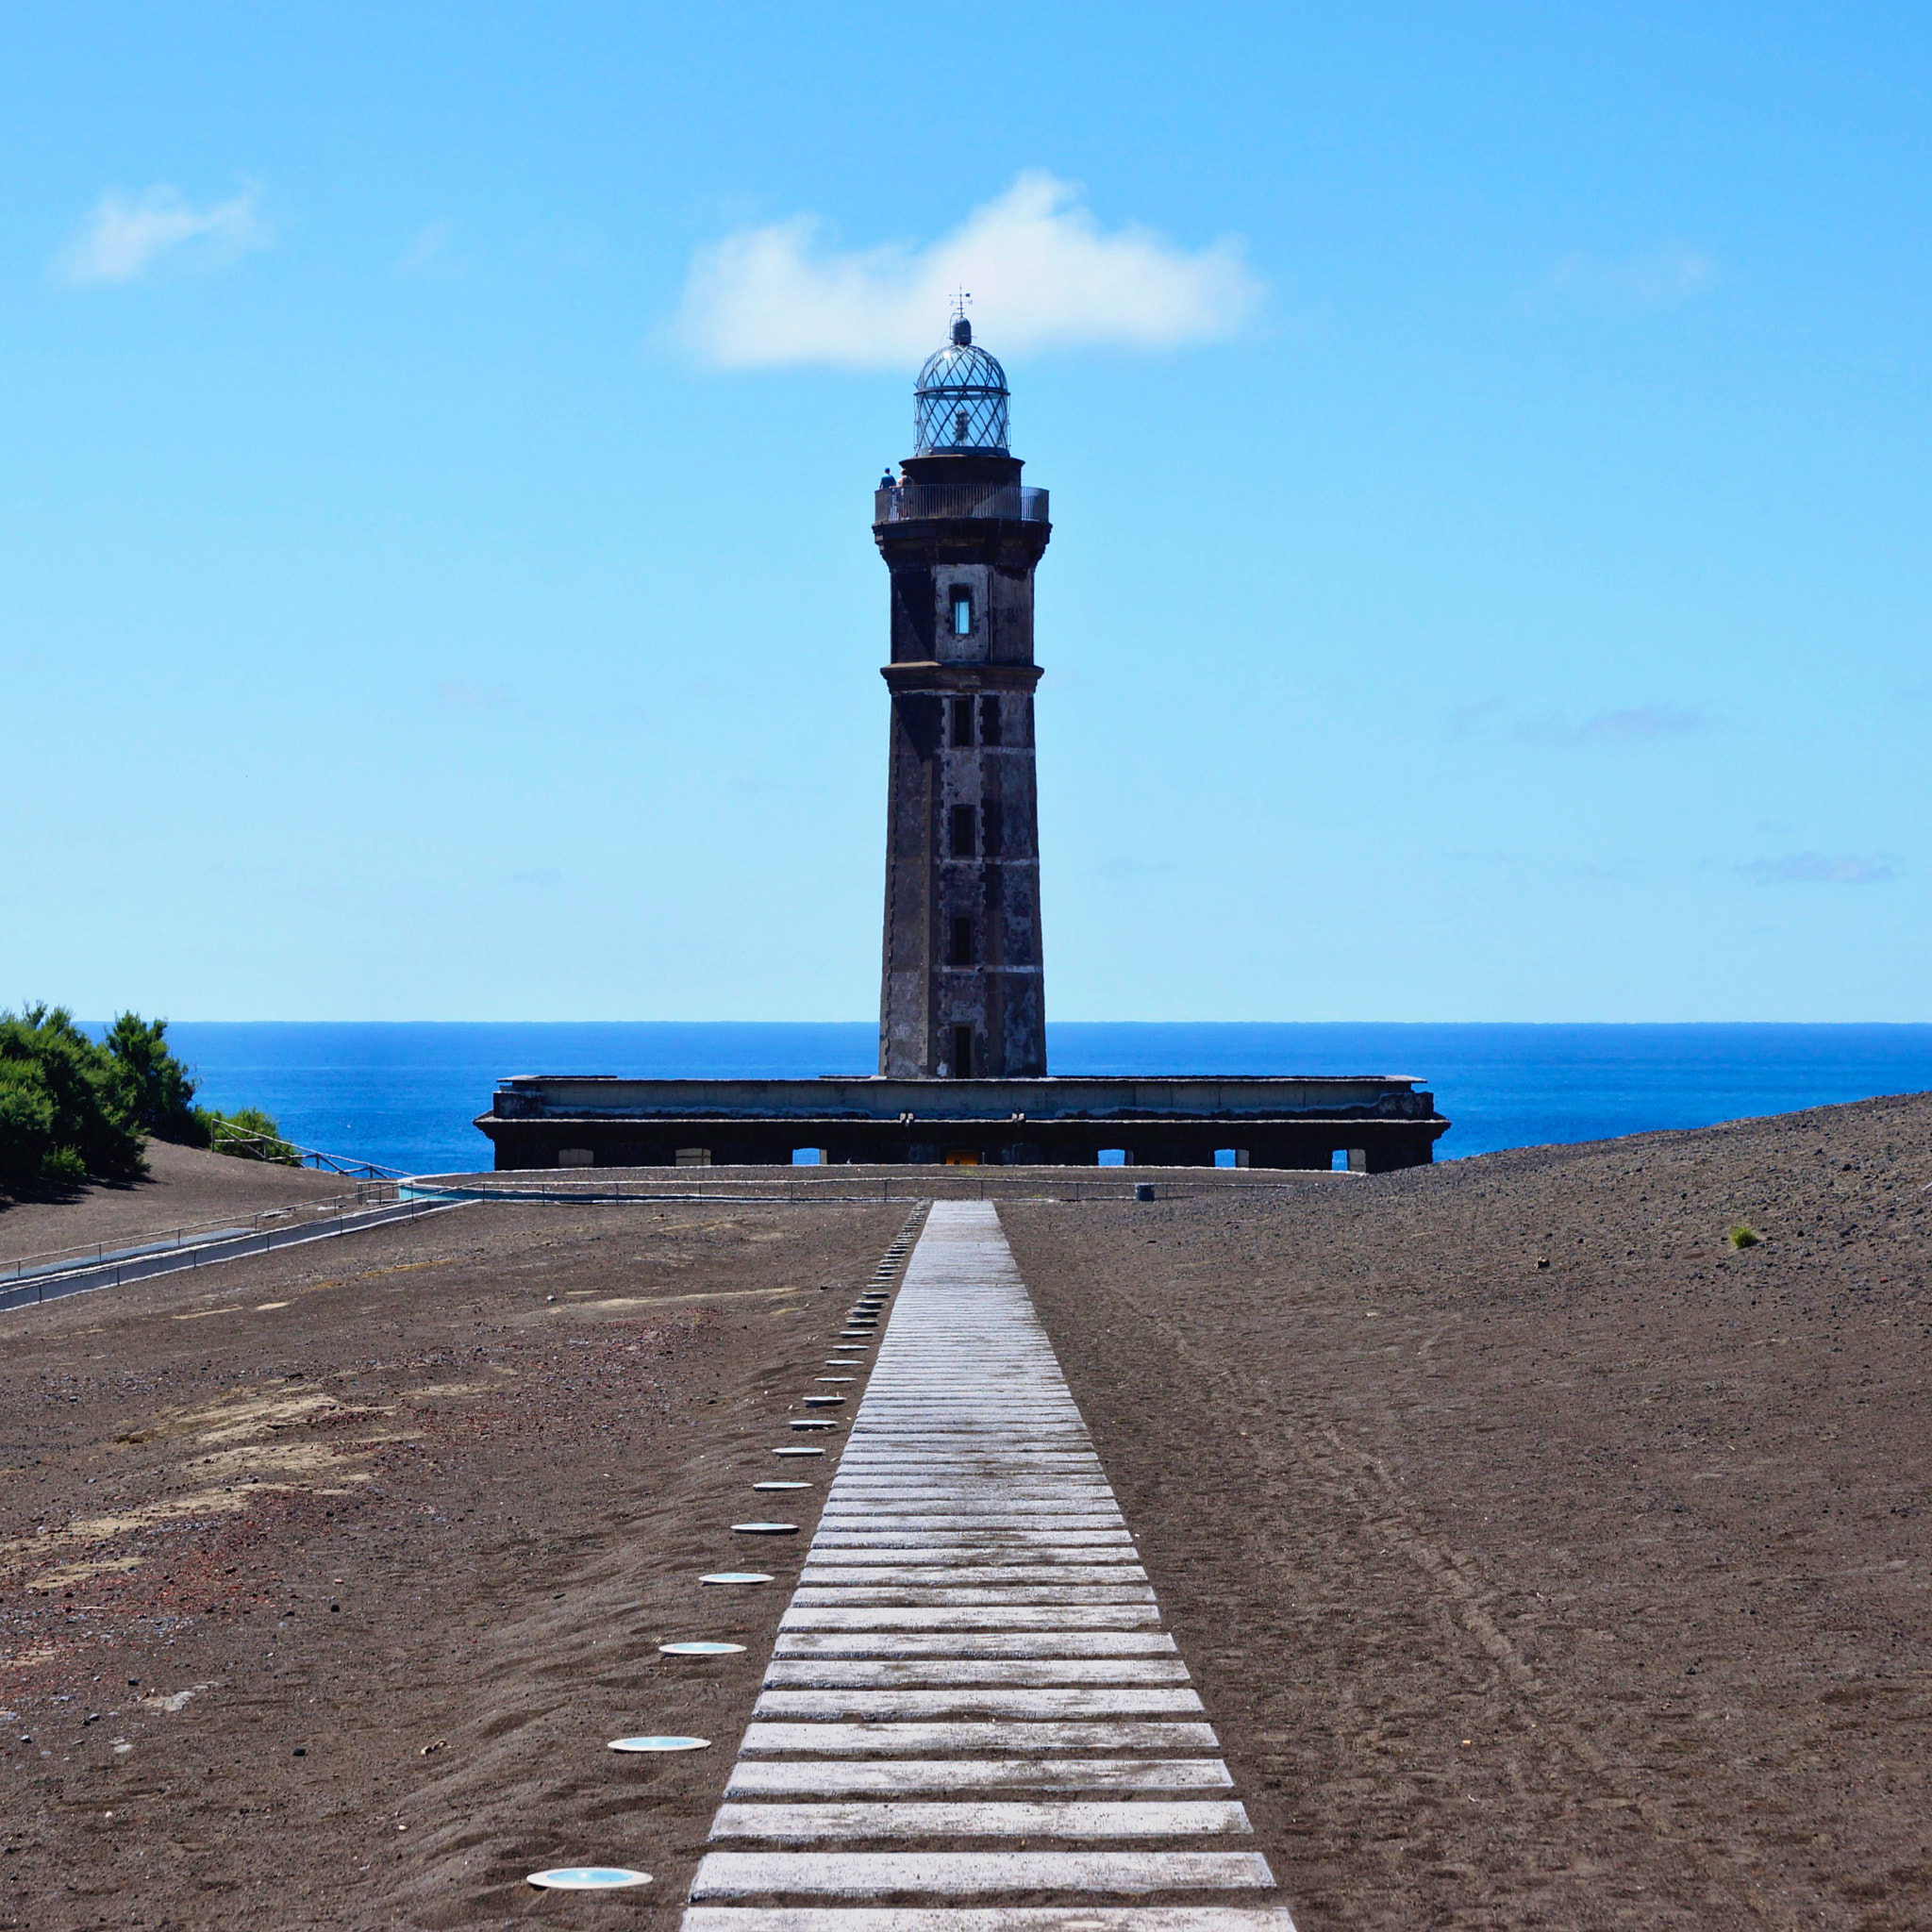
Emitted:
<point x="1589" y="1595"/>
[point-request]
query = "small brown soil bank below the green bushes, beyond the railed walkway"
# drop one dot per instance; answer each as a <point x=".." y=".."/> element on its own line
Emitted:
<point x="185" y="1189"/>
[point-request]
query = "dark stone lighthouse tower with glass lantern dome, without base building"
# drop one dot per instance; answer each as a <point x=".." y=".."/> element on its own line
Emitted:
<point x="961" y="536"/>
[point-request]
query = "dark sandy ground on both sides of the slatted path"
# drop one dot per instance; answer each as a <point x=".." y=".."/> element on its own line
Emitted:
<point x="1576" y="1595"/>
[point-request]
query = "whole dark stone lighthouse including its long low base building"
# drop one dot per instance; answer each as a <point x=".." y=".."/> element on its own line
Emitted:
<point x="963" y="1009"/>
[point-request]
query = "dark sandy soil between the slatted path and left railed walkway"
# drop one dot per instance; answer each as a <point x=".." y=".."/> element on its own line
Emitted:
<point x="324" y="1589"/>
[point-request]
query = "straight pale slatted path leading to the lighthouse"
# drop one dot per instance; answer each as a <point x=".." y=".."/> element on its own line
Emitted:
<point x="975" y="1661"/>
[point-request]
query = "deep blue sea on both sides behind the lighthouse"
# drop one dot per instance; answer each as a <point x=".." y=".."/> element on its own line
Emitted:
<point x="405" y="1094"/>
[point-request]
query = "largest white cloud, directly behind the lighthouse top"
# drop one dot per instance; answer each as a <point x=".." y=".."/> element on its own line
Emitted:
<point x="1037" y="262"/>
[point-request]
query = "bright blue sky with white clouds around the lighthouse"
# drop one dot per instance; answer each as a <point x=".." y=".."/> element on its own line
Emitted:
<point x="1491" y="474"/>
